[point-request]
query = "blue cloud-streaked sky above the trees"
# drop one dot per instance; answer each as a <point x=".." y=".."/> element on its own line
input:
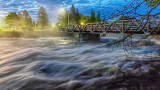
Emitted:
<point x="53" y="6"/>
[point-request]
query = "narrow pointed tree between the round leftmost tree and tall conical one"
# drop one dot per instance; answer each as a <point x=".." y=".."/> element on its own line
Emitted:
<point x="27" y="20"/>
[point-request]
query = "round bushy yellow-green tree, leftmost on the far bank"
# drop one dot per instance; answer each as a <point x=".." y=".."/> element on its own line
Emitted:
<point x="12" y="20"/>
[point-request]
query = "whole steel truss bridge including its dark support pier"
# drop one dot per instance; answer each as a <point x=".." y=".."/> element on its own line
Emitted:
<point x="94" y="31"/>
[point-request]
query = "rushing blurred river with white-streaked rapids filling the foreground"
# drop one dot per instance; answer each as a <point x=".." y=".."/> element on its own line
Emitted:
<point x="65" y="64"/>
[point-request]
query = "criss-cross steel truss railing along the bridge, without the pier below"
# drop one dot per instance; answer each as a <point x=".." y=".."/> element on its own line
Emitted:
<point x="123" y="26"/>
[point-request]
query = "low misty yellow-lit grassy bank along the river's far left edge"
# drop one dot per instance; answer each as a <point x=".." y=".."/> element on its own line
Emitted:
<point x="33" y="34"/>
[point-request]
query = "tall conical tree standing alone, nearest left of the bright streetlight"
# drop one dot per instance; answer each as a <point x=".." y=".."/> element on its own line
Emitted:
<point x="43" y="20"/>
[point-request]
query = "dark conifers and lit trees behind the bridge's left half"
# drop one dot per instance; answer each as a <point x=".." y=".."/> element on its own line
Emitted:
<point x="74" y="17"/>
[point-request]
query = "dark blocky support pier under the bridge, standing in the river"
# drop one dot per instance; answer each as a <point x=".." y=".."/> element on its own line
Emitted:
<point x="89" y="37"/>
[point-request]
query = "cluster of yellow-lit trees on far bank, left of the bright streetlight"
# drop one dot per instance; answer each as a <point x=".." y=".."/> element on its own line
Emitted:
<point x="24" y="20"/>
